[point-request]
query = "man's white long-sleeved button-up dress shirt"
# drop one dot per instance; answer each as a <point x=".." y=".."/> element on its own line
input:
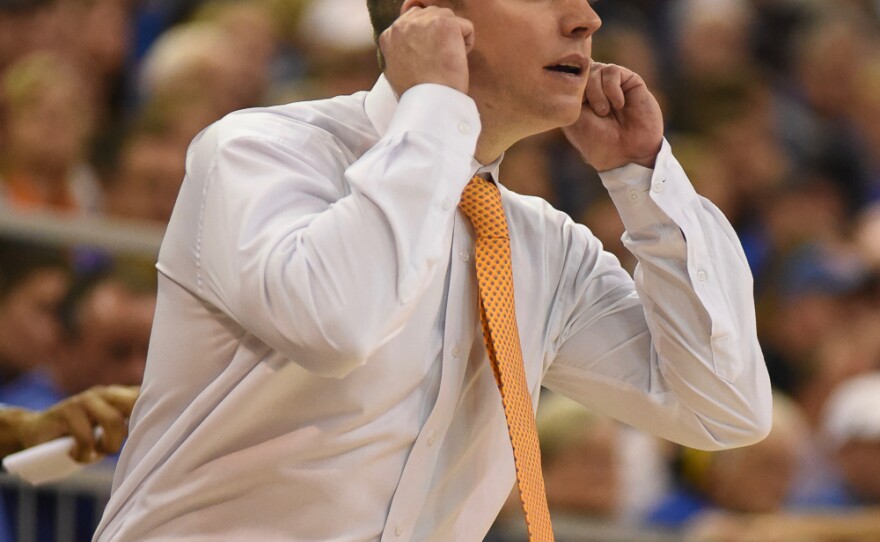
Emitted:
<point x="317" y="369"/>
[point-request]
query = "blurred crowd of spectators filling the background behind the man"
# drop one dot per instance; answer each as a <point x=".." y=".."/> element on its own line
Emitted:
<point x="772" y="107"/>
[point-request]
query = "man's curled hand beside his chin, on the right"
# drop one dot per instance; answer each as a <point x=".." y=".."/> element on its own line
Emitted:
<point x="620" y="123"/>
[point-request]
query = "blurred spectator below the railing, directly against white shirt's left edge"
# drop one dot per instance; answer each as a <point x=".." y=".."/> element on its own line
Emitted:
<point x="107" y="322"/>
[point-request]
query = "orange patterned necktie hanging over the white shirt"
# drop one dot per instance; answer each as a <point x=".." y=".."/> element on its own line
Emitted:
<point x="481" y="203"/>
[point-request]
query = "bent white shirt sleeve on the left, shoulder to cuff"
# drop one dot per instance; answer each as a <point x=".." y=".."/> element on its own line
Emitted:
<point x="321" y="270"/>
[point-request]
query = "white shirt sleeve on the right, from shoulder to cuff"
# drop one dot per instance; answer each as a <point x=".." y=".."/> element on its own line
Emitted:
<point x="675" y="352"/>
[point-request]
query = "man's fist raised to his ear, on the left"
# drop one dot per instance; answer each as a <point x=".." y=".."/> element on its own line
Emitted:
<point x="427" y="45"/>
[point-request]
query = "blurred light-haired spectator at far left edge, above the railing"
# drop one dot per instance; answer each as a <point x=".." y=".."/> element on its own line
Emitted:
<point x="49" y="122"/>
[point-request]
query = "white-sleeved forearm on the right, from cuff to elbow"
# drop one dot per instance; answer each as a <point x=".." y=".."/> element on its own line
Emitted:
<point x="696" y="290"/>
